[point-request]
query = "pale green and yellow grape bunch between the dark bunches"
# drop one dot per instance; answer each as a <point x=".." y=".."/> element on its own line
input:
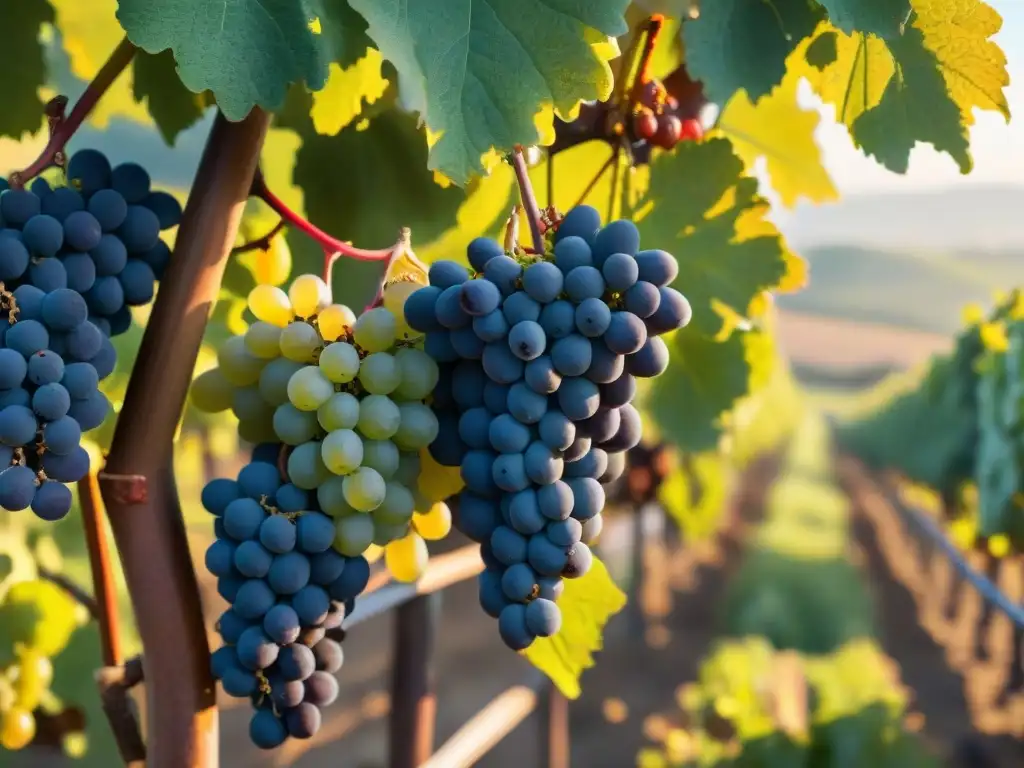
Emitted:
<point x="346" y="396"/>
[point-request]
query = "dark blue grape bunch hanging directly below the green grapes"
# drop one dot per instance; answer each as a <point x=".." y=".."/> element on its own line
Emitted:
<point x="289" y="591"/>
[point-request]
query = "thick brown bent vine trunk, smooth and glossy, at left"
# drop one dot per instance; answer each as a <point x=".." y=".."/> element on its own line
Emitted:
<point x="139" y="482"/>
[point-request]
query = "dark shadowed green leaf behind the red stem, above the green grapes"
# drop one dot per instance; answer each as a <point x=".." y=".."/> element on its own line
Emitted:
<point x="389" y="153"/>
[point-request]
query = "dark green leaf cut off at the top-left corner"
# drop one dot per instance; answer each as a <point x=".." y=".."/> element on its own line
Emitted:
<point x="22" y="24"/>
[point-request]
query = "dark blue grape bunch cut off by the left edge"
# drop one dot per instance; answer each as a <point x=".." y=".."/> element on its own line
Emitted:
<point x="73" y="261"/>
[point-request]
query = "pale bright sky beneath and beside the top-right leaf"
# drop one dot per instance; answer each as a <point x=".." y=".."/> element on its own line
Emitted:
<point x="998" y="148"/>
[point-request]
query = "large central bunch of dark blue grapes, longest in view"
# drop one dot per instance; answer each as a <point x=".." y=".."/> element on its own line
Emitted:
<point x="539" y="358"/>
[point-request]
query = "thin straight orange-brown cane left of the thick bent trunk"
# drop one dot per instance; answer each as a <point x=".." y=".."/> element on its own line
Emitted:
<point x="104" y="586"/>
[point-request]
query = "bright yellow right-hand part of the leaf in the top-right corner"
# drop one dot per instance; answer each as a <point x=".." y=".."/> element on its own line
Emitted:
<point x="959" y="33"/>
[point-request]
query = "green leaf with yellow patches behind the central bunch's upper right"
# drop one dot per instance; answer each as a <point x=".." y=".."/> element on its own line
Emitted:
<point x="701" y="207"/>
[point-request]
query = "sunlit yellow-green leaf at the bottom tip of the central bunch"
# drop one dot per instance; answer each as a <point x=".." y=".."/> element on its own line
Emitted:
<point x="587" y="605"/>
